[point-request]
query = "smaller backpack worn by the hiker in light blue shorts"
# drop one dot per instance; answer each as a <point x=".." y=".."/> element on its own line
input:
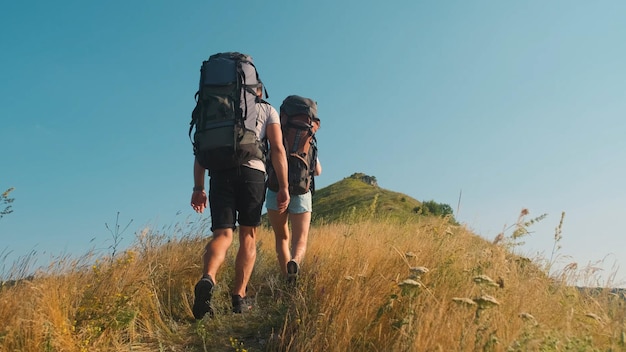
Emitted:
<point x="299" y="122"/>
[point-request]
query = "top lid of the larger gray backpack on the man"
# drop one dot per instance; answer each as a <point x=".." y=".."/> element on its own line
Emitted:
<point x="221" y="69"/>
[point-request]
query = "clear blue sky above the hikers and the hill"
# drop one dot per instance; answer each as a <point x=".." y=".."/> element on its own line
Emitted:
<point x="509" y="104"/>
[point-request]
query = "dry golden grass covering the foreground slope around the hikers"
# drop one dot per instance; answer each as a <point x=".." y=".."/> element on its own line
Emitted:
<point x="365" y="286"/>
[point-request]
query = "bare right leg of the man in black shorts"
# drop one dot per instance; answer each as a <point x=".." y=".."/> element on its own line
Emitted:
<point x="246" y="256"/>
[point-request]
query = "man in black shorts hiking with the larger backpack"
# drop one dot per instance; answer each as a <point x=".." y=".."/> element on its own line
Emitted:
<point x="236" y="193"/>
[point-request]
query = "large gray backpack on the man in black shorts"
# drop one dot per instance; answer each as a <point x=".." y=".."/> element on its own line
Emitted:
<point x="226" y="112"/>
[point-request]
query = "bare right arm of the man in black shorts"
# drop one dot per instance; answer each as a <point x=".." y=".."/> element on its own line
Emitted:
<point x="279" y="162"/>
